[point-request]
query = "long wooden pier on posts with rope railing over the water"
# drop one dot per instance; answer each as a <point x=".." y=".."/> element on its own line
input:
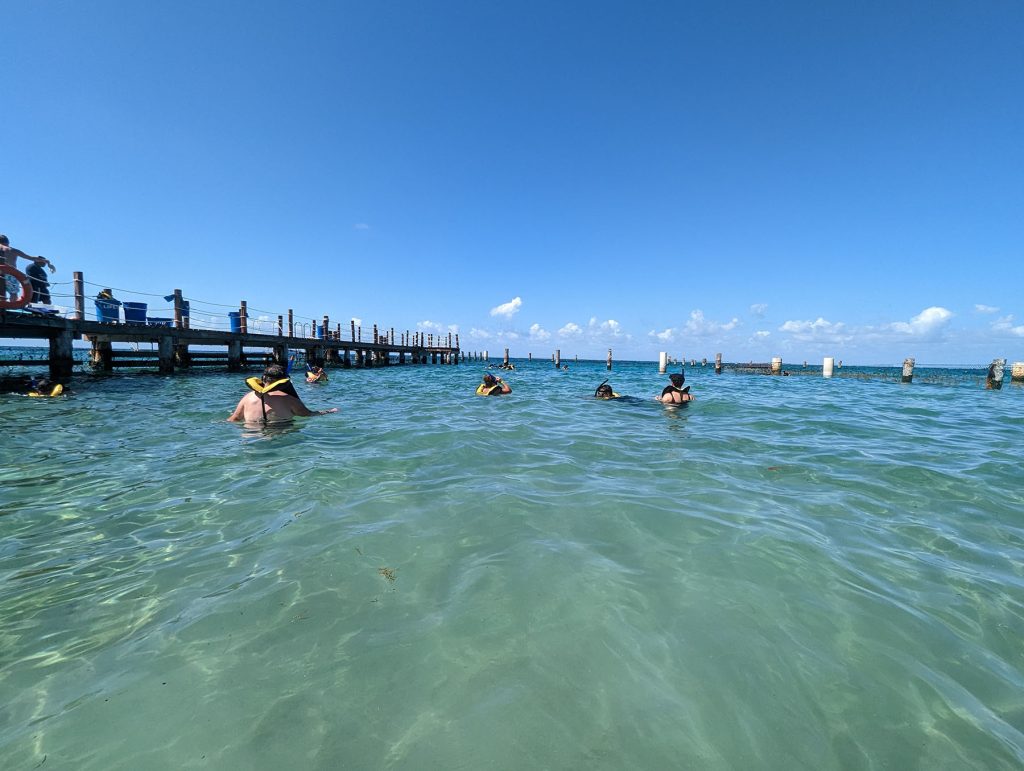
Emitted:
<point x="175" y="340"/>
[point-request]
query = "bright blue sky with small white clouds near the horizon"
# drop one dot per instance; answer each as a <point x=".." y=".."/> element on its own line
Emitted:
<point x="796" y="179"/>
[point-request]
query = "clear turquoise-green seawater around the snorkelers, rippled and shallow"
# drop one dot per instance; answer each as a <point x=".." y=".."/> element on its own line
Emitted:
<point x="792" y="573"/>
